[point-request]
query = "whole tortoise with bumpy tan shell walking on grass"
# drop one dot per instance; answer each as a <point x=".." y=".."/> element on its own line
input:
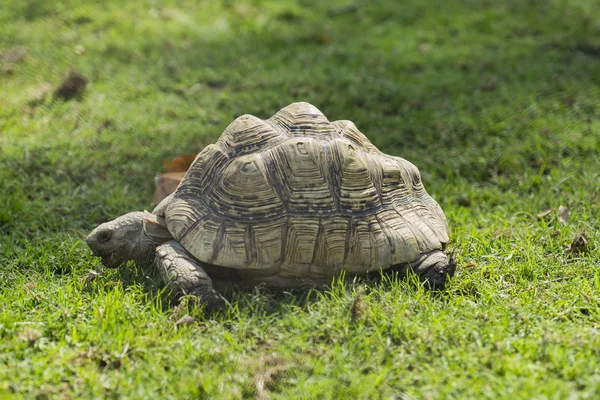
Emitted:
<point x="288" y="202"/>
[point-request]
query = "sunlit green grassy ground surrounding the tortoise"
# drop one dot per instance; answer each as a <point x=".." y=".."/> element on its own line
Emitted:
<point x="495" y="101"/>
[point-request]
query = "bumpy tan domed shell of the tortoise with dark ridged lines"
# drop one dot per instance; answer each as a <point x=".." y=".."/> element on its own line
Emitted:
<point x="300" y="196"/>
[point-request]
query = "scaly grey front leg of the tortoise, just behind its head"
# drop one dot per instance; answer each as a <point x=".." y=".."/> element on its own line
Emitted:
<point x="184" y="275"/>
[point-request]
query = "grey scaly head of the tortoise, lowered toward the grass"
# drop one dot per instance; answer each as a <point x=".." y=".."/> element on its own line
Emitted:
<point x="132" y="236"/>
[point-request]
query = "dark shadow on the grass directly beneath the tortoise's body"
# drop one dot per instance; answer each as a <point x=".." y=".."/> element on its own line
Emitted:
<point x="262" y="301"/>
